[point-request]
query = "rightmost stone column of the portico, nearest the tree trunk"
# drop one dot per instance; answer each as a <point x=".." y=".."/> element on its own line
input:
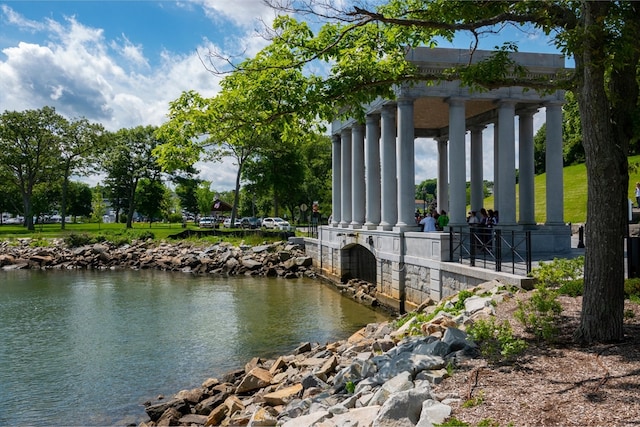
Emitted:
<point x="553" y="159"/>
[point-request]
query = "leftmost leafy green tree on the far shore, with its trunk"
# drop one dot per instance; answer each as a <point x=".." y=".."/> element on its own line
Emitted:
<point x="30" y="151"/>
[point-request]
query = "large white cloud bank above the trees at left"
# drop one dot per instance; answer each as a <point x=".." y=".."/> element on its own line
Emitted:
<point x="81" y="74"/>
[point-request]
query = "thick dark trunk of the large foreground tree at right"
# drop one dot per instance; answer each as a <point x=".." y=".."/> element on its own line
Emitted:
<point x="601" y="319"/>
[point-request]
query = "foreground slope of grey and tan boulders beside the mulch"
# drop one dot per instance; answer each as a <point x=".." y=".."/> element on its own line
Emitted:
<point x="378" y="377"/>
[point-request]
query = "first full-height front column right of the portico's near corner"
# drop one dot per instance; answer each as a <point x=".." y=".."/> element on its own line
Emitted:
<point x="457" y="158"/>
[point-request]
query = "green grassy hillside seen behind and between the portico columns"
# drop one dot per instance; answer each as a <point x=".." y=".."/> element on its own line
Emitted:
<point x="575" y="192"/>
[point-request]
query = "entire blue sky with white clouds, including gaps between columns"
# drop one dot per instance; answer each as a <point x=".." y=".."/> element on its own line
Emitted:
<point x="120" y="63"/>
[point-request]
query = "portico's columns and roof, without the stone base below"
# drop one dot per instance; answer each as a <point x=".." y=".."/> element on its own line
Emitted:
<point x="377" y="162"/>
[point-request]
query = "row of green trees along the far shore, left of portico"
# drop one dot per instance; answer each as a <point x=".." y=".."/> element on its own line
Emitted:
<point x="45" y="160"/>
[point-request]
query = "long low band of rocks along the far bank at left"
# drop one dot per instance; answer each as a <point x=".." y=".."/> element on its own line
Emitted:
<point x="280" y="259"/>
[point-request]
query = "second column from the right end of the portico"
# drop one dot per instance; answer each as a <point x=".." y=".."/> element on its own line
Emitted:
<point x="526" y="168"/>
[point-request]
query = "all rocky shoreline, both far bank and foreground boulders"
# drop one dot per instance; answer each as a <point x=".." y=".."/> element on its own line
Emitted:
<point x="380" y="376"/>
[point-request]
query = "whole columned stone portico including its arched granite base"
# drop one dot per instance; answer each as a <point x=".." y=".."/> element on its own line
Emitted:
<point x="374" y="169"/>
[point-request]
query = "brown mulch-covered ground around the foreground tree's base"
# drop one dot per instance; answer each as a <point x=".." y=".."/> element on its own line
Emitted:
<point x="553" y="385"/>
